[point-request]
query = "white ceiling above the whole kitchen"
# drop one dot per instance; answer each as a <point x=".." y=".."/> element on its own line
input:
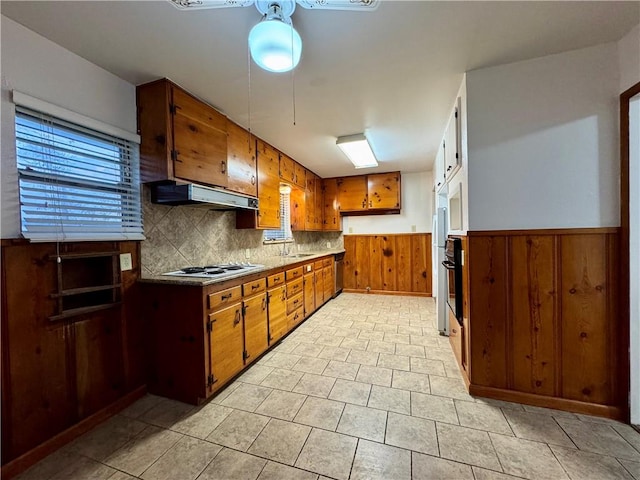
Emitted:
<point x="393" y="73"/>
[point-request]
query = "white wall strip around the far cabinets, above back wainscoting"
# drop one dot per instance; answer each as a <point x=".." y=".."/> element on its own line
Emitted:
<point x="416" y="198"/>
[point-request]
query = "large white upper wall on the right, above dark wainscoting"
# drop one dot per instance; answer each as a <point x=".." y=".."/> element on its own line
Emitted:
<point x="543" y="142"/>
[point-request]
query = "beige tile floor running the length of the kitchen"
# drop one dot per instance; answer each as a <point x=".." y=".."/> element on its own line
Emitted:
<point x="365" y="389"/>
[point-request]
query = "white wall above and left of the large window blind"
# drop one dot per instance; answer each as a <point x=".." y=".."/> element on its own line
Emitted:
<point x="36" y="66"/>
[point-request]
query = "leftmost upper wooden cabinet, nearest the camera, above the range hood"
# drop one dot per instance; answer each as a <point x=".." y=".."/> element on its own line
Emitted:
<point x="182" y="138"/>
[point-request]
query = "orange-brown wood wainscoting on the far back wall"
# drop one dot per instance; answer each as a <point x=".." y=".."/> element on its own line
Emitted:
<point x="389" y="264"/>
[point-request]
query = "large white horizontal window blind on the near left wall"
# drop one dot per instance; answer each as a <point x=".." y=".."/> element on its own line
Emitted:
<point x="76" y="183"/>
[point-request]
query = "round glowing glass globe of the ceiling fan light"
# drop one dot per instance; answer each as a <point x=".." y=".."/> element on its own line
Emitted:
<point x="275" y="46"/>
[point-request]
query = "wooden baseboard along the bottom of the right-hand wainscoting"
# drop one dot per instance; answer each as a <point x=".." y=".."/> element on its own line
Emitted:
<point x="574" y="406"/>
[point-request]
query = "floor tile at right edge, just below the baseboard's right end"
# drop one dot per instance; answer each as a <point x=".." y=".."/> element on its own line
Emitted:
<point x="598" y="438"/>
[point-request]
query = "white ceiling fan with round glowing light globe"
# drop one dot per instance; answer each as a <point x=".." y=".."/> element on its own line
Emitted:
<point x="274" y="44"/>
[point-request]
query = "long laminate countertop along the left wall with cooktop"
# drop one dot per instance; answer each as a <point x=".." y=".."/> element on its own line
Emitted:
<point x="271" y="263"/>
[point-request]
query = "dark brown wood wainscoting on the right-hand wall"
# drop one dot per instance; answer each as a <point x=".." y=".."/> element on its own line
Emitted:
<point x="544" y="319"/>
